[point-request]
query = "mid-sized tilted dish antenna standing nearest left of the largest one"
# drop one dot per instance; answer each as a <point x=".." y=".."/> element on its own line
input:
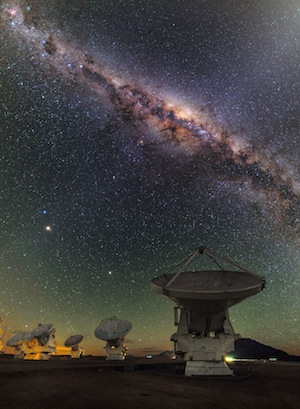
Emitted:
<point x="113" y="331"/>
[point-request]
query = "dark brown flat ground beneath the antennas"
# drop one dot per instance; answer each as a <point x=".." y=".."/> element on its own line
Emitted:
<point x="94" y="383"/>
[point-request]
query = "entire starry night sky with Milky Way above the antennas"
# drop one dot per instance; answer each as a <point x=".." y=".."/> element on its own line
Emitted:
<point x="133" y="132"/>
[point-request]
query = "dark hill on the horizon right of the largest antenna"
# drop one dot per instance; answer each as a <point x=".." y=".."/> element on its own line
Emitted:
<point x="247" y="348"/>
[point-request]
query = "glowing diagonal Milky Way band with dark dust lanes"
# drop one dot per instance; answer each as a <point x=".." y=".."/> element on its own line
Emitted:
<point x="186" y="130"/>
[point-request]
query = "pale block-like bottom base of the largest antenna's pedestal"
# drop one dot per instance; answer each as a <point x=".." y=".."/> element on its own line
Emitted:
<point x="206" y="368"/>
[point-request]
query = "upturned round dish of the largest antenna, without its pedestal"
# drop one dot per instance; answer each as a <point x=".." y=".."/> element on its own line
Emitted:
<point x="208" y="291"/>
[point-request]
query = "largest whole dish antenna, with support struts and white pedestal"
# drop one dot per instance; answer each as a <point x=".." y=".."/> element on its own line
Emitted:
<point x="205" y="335"/>
